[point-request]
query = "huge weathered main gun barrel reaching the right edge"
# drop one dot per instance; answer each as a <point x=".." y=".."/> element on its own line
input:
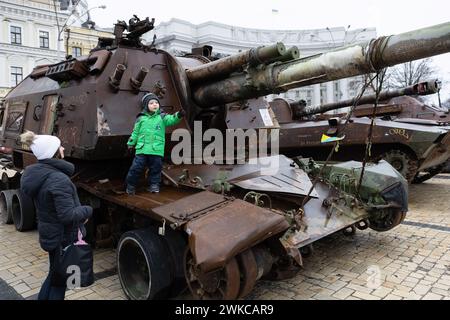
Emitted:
<point x="337" y="64"/>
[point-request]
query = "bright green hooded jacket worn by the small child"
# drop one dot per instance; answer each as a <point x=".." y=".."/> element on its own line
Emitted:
<point x="149" y="132"/>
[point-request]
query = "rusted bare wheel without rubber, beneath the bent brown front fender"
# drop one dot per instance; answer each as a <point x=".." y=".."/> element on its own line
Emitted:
<point x="217" y="285"/>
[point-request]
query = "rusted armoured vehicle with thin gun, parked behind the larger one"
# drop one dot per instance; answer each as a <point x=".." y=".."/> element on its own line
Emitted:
<point x="417" y="147"/>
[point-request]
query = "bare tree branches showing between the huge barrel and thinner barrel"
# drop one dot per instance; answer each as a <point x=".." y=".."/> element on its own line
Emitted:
<point x="409" y="73"/>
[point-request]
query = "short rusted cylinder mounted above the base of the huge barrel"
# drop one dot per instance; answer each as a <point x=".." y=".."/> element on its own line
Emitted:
<point x="223" y="67"/>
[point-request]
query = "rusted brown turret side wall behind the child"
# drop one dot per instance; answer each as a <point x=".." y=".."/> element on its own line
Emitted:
<point x="89" y="120"/>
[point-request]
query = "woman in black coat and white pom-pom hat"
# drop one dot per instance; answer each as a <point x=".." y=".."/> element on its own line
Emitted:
<point x="59" y="212"/>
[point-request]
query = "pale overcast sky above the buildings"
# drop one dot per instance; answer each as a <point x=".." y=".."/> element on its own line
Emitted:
<point x="387" y="16"/>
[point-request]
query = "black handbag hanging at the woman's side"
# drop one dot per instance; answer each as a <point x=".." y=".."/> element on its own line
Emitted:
<point x="74" y="266"/>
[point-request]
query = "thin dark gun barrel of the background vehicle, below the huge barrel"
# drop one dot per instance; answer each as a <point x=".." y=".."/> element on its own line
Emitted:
<point x="421" y="88"/>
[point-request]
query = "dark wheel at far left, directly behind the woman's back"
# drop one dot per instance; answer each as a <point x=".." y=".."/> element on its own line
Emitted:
<point x="23" y="212"/>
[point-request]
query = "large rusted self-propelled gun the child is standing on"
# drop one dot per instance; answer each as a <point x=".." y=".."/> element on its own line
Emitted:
<point x="214" y="227"/>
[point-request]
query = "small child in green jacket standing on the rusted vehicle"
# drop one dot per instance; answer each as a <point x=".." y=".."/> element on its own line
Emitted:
<point x="148" y="138"/>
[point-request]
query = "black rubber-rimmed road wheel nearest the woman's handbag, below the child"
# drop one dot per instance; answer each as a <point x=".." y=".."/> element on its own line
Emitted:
<point x="143" y="265"/>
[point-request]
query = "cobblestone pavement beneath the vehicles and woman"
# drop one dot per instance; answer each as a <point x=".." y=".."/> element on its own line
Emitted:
<point x="411" y="261"/>
